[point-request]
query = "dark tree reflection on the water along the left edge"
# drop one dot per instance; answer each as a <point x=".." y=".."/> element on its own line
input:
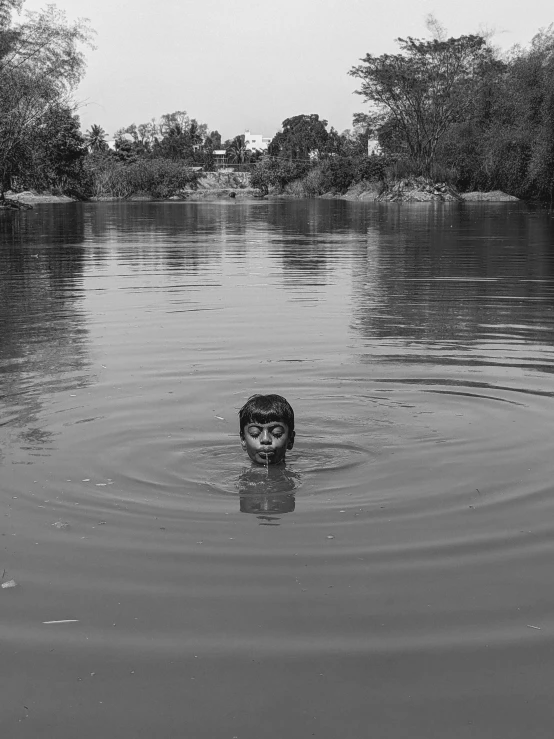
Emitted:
<point x="42" y="326"/>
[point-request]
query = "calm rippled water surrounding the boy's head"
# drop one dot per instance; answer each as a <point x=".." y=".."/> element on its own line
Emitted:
<point x="394" y="581"/>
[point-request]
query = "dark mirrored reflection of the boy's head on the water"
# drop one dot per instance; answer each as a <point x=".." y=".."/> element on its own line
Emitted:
<point x="267" y="490"/>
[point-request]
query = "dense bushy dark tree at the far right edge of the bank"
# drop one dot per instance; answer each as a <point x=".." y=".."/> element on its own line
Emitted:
<point x="507" y="143"/>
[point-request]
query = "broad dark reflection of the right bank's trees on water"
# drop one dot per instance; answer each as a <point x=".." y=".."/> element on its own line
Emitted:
<point x="454" y="275"/>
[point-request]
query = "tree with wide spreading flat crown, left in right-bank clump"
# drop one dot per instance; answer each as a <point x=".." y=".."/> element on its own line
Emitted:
<point x="425" y="89"/>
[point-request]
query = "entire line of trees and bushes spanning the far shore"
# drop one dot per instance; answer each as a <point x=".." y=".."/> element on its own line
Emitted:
<point x="455" y="110"/>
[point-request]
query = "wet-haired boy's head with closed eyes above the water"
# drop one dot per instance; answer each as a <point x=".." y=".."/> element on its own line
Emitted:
<point x="266" y="428"/>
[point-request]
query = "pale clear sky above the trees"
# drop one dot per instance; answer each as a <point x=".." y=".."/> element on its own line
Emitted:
<point x="250" y="64"/>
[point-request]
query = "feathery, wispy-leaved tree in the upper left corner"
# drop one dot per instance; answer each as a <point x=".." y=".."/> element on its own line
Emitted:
<point x="40" y="65"/>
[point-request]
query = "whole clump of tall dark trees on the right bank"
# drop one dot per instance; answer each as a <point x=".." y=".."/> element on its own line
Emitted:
<point x="458" y="109"/>
